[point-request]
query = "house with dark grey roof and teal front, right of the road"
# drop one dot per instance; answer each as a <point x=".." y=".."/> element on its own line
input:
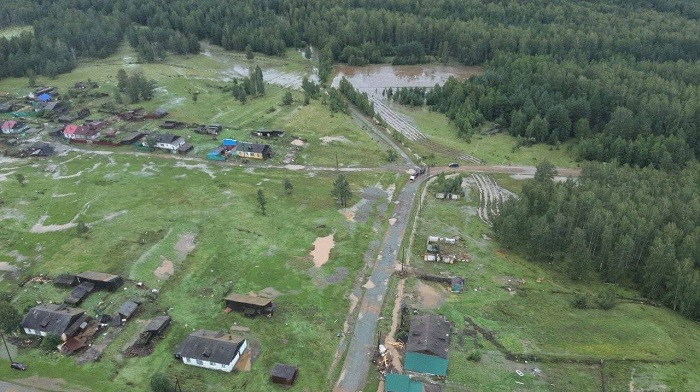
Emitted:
<point x="427" y="346"/>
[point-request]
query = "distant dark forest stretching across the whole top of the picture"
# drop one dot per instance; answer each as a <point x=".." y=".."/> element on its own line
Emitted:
<point x="407" y="31"/>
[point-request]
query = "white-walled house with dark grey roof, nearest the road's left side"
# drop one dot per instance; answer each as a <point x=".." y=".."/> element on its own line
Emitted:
<point x="211" y="350"/>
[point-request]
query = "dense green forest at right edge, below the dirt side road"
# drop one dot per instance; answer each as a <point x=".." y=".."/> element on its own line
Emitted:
<point x="636" y="227"/>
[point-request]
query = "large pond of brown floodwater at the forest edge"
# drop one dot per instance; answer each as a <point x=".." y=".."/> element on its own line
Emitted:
<point x="385" y="76"/>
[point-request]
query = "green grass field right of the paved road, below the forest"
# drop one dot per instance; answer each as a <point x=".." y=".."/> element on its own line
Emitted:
<point x="654" y="347"/>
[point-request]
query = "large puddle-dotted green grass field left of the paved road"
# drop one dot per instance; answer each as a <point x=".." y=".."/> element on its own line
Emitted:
<point x="154" y="202"/>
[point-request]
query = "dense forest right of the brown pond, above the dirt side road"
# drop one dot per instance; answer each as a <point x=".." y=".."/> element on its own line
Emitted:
<point x="643" y="114"/>
